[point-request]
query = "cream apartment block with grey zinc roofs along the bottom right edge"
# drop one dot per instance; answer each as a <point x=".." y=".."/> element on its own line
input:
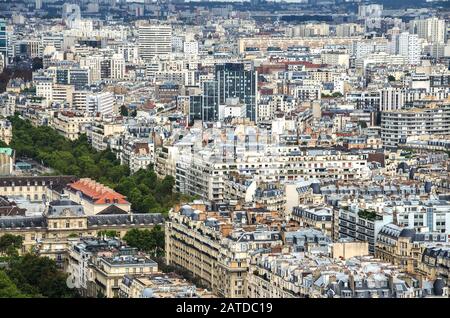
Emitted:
<point x="288" y="275"/>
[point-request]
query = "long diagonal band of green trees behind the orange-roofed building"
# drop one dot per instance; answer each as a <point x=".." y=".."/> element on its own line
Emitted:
<point x="144" y="190"/>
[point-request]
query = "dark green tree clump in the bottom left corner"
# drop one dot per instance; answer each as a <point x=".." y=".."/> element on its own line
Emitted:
<point x="28" y="275"/>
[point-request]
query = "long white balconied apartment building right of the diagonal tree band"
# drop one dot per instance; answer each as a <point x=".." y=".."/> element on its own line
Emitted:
<point x="204" y="174"/>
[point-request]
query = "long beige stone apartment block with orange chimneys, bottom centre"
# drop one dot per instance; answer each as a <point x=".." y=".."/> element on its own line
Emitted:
<point x="212" y="248"/>
